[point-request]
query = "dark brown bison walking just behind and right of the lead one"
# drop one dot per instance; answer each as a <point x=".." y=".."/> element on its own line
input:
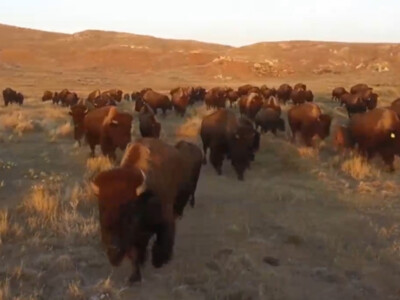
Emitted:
<point x="225" y="135"/>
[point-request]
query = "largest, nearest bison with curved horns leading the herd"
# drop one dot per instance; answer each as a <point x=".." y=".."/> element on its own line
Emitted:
<point x="137" y="200"/>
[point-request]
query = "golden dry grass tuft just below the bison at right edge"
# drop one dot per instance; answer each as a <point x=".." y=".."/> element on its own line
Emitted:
<point x="357" y="167"/>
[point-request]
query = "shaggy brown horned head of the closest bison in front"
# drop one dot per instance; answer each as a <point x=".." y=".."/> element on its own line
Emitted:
<point x="114" y="189"/>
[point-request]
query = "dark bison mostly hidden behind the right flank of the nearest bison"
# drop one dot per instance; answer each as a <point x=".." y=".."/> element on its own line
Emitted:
<point x="192" y="156"/>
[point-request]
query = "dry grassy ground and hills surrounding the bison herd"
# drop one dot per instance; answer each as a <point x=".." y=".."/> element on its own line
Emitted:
<point x="305" y="224"/>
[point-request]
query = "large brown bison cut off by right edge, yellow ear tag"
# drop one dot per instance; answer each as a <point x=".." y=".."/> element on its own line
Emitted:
<point x="376" y="131"/>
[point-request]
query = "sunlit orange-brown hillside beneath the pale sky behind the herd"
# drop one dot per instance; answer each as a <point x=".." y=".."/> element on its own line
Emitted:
<point x="101" y="51"/>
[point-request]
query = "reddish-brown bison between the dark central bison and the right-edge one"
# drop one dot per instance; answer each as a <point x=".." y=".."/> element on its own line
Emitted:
<point x="308" y="119"/>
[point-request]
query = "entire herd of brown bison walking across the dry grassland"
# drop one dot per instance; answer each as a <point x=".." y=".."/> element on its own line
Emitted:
<point x="154" y="182"/>
